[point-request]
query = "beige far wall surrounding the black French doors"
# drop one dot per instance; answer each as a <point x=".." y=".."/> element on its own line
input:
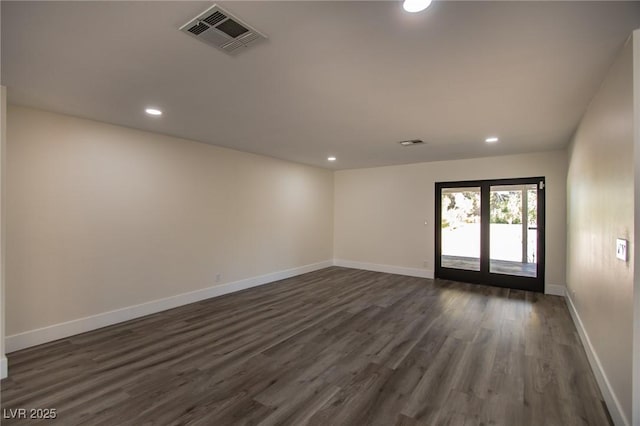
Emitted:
<point x="380" y="213"/>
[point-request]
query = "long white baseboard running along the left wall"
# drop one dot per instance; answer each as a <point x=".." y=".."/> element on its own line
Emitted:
<point x="59" y="331"/>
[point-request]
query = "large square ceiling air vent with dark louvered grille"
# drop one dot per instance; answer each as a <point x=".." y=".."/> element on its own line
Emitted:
<point x="217" y="27"/>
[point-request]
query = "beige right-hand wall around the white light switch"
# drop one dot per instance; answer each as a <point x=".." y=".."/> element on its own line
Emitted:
<point x="599" y="210"/>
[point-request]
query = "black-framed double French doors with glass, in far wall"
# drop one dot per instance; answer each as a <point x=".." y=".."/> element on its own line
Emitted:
<point x="491" y="232"/>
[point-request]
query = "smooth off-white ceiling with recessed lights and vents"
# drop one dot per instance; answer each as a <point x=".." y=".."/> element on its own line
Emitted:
<point x="343" y="78"/>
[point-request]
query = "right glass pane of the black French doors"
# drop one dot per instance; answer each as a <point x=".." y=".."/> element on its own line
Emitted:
<point x="513" y="230"/>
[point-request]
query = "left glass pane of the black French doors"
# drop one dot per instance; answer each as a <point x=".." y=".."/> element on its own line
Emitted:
<point x="460" y="228"/>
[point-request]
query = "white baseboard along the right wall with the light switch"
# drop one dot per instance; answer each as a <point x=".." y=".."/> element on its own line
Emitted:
<point x="613" y="404"/>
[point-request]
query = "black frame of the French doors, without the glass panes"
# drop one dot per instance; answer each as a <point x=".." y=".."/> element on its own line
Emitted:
<point x="484" y="276"/>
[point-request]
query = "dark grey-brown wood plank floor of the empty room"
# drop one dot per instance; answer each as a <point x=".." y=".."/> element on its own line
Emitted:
<point x="333" y="347"/>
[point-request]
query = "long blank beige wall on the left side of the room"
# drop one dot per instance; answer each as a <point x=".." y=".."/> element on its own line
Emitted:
<point x="102" y="217"/>
